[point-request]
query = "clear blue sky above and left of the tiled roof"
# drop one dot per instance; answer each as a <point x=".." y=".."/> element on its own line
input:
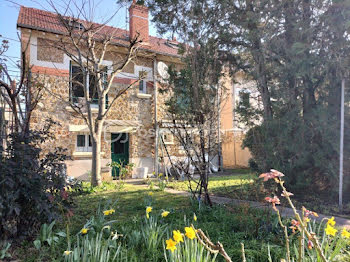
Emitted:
<point x="9" y="12"/>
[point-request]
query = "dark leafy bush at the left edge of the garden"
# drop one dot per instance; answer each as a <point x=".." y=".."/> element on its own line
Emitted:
<point x="32" y="184"/>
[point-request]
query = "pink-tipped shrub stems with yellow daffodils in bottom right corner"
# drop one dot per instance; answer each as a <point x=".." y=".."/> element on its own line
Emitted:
<point x="315" y="243"/>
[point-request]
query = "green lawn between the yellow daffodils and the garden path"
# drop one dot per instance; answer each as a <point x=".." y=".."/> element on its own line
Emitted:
<point x="230" y="225"/>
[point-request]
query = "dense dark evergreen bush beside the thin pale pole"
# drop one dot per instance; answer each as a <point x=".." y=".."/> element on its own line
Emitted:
<point x="307" y="152"/>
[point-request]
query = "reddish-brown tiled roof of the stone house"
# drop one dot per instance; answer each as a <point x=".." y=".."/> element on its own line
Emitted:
<point x="37" y="19"/>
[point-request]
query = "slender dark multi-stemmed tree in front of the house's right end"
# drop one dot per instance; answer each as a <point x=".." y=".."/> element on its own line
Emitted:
<point x="193" y="107"/>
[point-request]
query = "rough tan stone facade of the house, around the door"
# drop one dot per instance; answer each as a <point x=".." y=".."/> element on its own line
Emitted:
<point x="130" y="106"/>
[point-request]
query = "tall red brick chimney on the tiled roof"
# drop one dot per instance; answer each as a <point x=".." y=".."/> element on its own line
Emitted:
<point x="138" y="15"/>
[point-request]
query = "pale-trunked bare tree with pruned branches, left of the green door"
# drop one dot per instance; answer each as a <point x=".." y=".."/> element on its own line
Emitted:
<point x="88" y="45"/>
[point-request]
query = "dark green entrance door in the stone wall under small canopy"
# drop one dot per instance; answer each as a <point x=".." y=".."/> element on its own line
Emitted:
<point x="120" y="150"/>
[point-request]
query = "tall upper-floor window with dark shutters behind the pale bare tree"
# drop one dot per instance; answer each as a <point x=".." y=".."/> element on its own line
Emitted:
<point x="77" y="84"/>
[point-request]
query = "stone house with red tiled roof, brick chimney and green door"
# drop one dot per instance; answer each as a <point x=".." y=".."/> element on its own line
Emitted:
<point x="133" y="115"/>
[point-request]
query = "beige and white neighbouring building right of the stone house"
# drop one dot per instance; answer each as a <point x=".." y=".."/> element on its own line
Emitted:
<point x="244" y="91"/>
